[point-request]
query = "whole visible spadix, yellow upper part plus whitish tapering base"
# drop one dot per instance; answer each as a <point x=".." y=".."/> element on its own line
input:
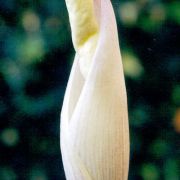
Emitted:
<point x="85" y="30"/>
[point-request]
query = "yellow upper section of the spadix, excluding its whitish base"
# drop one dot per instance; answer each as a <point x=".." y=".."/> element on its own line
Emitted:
<point x="83" y="20"/>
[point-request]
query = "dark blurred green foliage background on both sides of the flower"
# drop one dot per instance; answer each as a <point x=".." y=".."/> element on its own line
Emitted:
<point x="36" y="55"/>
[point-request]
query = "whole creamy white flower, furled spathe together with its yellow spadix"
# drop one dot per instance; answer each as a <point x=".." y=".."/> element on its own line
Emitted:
<point x="94" y="120"/>
